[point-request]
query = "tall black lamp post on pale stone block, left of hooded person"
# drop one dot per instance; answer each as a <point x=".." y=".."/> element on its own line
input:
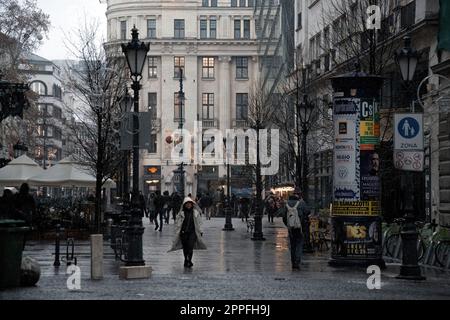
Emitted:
<point x="135" y="53"/>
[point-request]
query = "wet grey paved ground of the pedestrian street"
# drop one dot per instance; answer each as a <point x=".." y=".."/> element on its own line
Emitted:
<point x="233" y="268"/>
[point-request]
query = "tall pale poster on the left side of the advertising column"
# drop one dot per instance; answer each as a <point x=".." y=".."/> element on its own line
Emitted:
<point x="345" y="175"/>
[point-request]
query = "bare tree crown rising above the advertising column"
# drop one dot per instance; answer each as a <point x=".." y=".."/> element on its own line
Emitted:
<point x="353" y="40"/>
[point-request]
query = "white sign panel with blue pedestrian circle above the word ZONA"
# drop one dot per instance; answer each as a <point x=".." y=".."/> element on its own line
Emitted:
<point x="408" y="131"/>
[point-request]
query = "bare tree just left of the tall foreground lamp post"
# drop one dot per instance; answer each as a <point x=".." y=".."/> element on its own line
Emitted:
<point x="98" y="83"/>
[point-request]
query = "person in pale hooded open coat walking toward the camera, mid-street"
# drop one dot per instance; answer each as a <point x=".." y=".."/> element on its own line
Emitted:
<point x="188" y="233"/>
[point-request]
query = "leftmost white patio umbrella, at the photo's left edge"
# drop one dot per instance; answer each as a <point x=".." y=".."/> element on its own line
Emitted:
<point x="19" y="171"/>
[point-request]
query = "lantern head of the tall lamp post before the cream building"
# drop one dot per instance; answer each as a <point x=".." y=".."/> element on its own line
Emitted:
<point x="135" y="52"/>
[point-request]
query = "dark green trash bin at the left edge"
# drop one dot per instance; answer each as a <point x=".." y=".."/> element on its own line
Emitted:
<point x="12" y="235"/>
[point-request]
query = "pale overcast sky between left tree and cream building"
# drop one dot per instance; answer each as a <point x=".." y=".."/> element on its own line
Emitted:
<point x="65" y="15"/>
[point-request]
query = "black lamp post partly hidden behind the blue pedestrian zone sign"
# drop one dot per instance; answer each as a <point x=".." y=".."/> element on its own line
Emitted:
<point x="407" y="59"/>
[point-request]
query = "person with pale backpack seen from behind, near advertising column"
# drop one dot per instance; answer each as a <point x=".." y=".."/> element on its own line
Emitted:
<point x="292" y="214"/>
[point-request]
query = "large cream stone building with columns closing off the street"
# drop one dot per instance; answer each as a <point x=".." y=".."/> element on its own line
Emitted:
<point x="214" y="42"/>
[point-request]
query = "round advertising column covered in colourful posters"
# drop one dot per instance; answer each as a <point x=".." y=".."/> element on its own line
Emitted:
<point x="356" y="222"/>
